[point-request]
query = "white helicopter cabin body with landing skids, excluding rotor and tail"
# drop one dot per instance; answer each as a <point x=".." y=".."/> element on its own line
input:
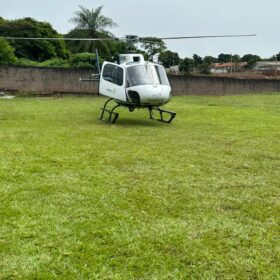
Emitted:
<point x="135" y="83"/>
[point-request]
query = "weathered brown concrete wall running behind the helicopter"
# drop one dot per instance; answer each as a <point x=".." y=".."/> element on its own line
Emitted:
<point x="66" y="81"/>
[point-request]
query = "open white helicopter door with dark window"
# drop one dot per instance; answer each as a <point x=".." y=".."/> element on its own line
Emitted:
<point x="112" y="81"/>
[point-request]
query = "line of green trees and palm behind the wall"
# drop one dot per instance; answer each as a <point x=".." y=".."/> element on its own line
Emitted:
<point x="91" y="23"/>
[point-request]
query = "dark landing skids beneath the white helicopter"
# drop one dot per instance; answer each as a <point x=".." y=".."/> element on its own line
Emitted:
<point x="164" y="115"/>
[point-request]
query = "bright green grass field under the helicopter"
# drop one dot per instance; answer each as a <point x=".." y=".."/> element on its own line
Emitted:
<point x="82" y="199"/>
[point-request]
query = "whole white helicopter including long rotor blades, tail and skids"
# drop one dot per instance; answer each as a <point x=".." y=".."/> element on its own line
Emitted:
<point x="132" y="82"/>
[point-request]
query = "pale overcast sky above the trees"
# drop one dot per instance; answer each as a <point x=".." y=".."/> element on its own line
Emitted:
<point x="161" y="18"/>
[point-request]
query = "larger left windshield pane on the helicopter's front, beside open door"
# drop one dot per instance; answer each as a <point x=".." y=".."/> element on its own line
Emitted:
<point x="139" y="75"/>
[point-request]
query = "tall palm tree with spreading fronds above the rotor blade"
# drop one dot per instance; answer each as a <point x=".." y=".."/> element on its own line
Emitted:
<point x="91" y="24"/>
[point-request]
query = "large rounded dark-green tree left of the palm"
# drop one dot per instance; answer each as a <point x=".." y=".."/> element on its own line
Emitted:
<point x="39" y="50"/>
